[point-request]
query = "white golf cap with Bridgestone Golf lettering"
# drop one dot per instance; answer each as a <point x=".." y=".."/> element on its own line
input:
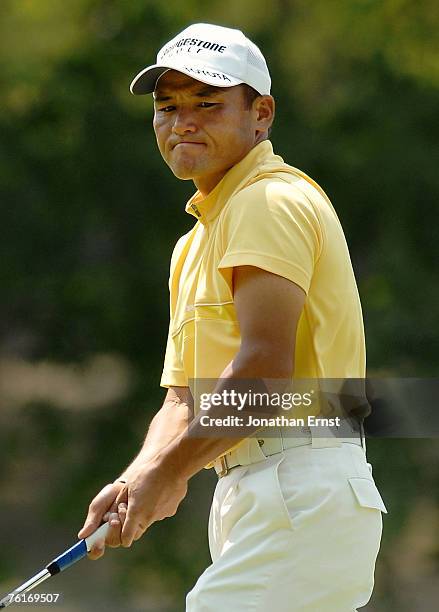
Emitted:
<point x="212" y="54"/>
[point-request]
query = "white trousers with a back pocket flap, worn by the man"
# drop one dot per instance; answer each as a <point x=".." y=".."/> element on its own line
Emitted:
<point x="298" y="532"/>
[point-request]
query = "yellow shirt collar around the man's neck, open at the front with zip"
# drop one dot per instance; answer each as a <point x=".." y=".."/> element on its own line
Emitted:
<point x="205" y="209"/>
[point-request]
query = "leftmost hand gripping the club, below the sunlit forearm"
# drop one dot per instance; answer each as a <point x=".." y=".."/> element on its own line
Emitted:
<point x="103" y="508"/>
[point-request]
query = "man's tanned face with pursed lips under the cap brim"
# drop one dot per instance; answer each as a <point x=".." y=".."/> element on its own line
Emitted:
<point x="202" y="131"/>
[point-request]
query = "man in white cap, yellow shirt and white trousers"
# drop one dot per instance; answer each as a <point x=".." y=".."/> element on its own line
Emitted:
<point x="261" y="288"/>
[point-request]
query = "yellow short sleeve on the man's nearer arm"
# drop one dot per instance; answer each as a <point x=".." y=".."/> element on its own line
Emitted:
<point x="272" y="225"/>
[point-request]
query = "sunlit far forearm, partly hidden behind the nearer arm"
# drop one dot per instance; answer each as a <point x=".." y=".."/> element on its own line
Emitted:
<point x="168" y="423"/>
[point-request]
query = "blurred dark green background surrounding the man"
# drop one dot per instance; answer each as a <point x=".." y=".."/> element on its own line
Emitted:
<point x="89" y="217"/>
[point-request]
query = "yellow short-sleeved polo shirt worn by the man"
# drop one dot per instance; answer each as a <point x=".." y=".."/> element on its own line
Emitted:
<point x="267" y="214"/>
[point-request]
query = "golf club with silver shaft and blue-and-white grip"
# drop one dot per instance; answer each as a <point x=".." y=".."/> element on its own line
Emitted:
<point x="62" y="562"/>
